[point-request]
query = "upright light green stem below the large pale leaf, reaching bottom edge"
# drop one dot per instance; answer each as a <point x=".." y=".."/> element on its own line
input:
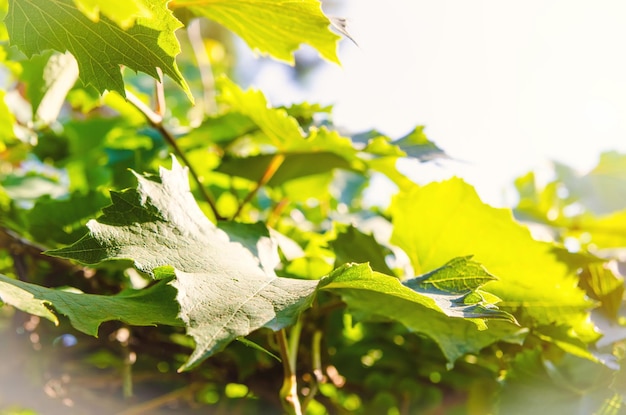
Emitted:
<point x="289" y="390"/>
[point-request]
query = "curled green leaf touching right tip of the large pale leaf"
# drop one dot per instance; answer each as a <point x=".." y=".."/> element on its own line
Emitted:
<point x="455" y="326"/>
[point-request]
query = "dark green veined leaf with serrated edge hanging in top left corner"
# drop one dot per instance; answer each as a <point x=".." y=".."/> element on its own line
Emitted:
<point x="99" y="47"/>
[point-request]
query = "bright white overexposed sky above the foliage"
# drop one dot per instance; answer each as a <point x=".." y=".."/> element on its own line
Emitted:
<point x="503" y="85"/>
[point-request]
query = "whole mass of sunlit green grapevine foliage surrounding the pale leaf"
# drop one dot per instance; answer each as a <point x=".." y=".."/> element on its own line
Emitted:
<point x="255" y="230"/>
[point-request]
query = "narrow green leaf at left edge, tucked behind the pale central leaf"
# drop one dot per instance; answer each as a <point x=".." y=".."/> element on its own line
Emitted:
<point x="154" y="305"/>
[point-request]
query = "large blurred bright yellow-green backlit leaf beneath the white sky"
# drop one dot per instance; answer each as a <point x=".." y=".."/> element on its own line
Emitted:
<point x="445" y="220"/>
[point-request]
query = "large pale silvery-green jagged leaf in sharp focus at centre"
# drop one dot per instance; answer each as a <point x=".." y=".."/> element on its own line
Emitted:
<point x="225" y="277"/>
